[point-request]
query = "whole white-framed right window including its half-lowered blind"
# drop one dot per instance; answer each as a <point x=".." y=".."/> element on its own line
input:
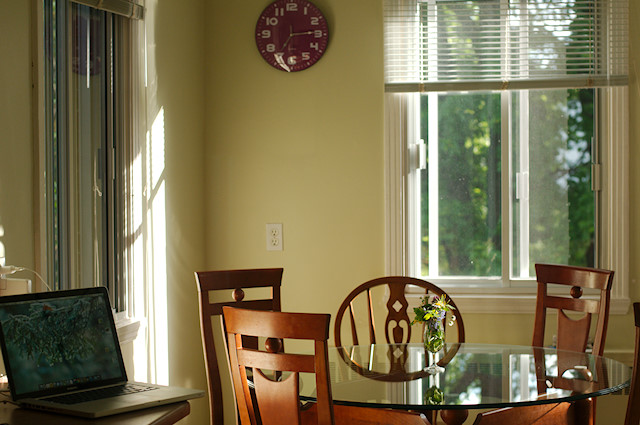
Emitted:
<point x="505" y="141"/>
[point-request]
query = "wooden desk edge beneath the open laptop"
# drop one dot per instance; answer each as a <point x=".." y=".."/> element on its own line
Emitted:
<point x="162" y="415"/>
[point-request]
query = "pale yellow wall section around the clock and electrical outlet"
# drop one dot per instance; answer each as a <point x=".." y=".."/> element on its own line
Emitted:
<point x="303" y="149"/>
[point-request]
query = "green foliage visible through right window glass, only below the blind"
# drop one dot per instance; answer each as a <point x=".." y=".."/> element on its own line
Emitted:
<point x="562" y="205"/>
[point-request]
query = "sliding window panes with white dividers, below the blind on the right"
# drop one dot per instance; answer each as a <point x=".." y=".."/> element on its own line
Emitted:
<point x="551" y="202"/>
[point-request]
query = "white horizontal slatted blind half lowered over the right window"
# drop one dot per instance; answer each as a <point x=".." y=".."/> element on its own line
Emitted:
<point x="443" y="45"/>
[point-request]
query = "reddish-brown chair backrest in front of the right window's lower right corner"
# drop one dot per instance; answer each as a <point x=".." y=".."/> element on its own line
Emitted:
<point x="573" y="334"/>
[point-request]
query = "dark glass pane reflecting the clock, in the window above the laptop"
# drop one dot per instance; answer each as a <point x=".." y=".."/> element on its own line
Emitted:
<point x="89" y="80"/>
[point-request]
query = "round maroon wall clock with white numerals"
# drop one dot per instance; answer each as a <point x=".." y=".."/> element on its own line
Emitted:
<point x="292" y="35"/>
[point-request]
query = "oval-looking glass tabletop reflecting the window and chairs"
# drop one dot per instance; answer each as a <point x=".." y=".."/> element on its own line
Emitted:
<point x="471" y="376"/>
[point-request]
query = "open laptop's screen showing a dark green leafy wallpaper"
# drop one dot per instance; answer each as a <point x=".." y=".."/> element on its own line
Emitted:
<point x="54" y="342"/>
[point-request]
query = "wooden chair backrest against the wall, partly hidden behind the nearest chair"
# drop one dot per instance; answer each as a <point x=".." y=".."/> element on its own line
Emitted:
<point x="228" y="287"/>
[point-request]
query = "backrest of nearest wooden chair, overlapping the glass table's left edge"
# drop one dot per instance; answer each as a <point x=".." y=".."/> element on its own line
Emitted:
<point x="278" y="401"/>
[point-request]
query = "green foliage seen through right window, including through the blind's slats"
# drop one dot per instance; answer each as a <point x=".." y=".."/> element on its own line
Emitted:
<point x="561" y="213"/>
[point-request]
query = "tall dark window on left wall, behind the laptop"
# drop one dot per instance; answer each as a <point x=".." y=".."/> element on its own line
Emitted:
<point x="88" y="140"/>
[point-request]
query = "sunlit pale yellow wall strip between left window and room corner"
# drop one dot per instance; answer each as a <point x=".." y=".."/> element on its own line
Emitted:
<point x="176" y="71"/>
